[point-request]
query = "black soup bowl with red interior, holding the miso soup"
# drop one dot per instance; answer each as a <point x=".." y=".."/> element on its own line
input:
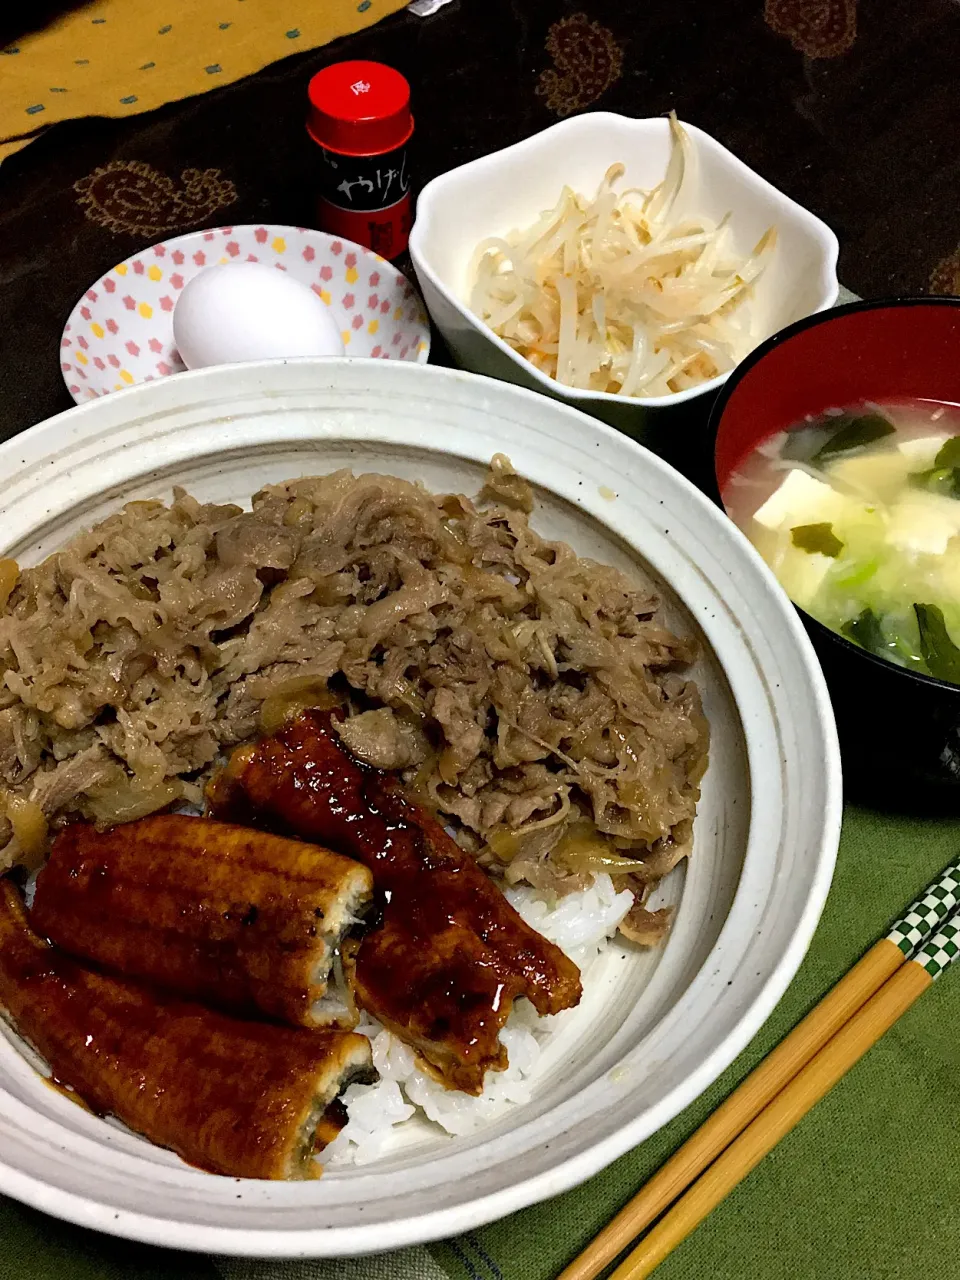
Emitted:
<point x="900" y="730"/>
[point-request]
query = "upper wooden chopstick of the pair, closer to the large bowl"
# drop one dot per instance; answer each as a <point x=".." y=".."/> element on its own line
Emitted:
<point x="784" y="1064"/>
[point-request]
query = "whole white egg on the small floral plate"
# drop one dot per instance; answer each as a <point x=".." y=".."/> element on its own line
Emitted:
<point x="250" y="312"/>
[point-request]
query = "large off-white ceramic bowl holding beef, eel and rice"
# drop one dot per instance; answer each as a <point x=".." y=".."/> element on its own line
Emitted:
<point x="657" y="1027"/>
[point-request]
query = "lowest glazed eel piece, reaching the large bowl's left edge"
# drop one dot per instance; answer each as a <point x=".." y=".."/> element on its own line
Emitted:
<point x="249" y="1100"/>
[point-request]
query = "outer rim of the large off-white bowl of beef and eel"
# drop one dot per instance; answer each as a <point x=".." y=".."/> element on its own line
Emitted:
<point x="568" y="1171"/>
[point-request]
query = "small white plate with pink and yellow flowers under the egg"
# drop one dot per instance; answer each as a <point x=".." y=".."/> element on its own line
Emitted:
<point x="121" y="332"/>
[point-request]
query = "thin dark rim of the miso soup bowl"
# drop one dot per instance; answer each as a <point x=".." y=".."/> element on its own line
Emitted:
<point x="724" y="399"/>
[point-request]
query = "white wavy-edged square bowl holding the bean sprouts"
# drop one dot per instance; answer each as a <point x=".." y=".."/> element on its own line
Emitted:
<point x="511" y="188"/>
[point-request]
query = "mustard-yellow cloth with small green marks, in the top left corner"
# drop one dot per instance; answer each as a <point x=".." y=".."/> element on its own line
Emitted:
<point x="125" y="57"/>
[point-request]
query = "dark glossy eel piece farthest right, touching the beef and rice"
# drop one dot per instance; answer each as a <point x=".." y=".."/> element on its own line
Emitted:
<point x="451" y="956"/>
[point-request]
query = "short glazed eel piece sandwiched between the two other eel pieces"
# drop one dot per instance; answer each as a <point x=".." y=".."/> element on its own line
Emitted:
<point x="241" y="920"/>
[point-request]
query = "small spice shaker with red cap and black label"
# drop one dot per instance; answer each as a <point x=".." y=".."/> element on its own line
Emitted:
<point x="362" y="122"/>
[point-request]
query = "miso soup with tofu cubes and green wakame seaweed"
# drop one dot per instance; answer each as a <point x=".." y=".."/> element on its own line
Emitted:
<point x="858" y="515"/>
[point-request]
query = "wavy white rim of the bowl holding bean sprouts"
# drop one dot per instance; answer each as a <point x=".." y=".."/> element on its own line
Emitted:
<point x="830" y="246"/>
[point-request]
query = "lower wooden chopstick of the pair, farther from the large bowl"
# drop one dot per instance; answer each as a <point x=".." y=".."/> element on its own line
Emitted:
<point x="792" y="1104"/>
